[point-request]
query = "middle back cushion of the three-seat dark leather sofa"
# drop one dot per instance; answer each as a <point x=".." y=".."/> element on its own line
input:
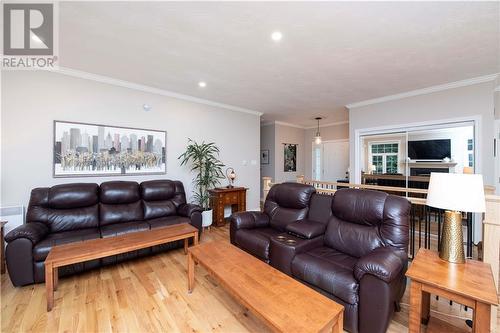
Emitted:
<point x="120" y="202"/>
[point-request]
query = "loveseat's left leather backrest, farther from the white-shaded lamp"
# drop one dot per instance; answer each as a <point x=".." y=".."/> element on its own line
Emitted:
<point x="287" y="203"/>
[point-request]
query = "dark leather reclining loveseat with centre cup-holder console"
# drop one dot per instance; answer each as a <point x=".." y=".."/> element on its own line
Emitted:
<point x="351" y="247"/>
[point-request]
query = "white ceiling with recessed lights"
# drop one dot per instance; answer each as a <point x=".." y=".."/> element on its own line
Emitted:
<point x="331" y="54"/>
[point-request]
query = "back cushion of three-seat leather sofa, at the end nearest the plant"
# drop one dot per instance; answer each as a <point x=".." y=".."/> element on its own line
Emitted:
<point x="161" y="197"/>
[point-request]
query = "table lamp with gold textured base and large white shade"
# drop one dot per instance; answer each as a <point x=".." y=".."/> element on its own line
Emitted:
<point x="455" y="193"/>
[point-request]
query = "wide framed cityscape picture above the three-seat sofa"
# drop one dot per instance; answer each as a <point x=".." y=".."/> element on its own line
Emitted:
<point x="85" y="150"/>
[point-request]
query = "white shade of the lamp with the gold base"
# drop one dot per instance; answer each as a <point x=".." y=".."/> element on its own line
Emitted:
<point x="456" y="191"/>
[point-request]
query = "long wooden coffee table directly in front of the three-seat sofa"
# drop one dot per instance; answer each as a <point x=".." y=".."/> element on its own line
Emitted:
<point x="67" y="254"/>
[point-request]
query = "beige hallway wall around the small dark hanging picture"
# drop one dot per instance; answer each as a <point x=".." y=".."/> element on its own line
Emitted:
<point x="288" y="134"/>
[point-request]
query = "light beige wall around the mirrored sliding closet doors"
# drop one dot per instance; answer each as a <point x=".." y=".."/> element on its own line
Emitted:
<point x="470" y="101"/>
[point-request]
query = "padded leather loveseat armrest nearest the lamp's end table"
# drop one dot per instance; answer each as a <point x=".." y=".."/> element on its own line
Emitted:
<point x="385" y="263"/>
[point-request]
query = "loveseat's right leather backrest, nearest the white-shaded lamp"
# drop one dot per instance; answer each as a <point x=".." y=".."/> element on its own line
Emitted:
<point x="363" y="220"/>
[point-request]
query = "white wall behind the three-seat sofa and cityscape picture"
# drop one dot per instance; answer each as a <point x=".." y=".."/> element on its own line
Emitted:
<point x="32" y="100"/>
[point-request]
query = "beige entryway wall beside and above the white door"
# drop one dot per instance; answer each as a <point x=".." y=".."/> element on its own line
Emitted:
<point x="335" y="132"/>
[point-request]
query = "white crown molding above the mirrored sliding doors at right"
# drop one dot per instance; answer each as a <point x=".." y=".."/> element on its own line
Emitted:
<point x="424" y="91"/>
